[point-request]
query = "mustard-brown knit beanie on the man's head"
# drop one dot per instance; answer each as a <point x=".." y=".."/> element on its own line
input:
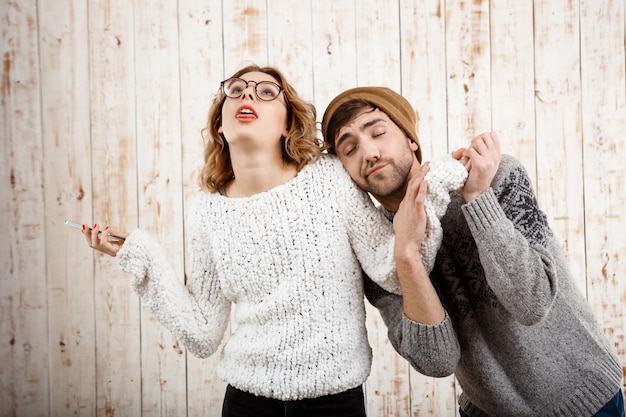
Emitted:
<point x="391" y="103"/>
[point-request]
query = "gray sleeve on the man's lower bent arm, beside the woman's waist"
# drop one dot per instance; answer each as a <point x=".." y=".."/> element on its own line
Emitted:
<point x="432" y="350"/>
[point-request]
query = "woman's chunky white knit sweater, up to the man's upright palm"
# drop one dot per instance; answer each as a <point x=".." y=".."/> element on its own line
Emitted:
<point x="289" y="262"/>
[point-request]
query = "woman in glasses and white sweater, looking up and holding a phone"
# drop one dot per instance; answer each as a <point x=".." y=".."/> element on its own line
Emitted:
<point x="281" y="232"/>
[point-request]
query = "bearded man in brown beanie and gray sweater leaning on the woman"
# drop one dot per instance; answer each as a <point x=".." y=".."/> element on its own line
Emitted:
<point x="529" y="343"/>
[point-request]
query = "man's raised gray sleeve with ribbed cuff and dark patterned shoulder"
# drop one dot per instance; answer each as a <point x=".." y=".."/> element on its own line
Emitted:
<point x="511" y="234"/>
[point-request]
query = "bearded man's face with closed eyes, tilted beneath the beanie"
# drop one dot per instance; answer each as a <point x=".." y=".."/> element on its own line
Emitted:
<point x="376" y="153"/>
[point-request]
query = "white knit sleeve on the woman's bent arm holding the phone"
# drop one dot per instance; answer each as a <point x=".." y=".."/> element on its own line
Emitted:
<point x="196" y="314"/>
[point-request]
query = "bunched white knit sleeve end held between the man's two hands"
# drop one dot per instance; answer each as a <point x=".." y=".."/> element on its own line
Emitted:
<point x="446" y="174"/>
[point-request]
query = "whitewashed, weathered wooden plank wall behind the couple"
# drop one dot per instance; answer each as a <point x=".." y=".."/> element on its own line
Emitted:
<point x="101" y="106"/>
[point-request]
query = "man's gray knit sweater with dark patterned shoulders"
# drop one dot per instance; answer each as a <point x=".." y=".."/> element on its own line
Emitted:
<point x="529" y="342"/>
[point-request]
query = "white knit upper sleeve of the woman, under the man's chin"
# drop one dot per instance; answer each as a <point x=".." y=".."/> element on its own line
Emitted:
<point x="370" y="233"/>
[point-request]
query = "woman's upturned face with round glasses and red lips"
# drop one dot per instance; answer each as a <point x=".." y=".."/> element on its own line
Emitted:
<point x="248" y="119"/>
